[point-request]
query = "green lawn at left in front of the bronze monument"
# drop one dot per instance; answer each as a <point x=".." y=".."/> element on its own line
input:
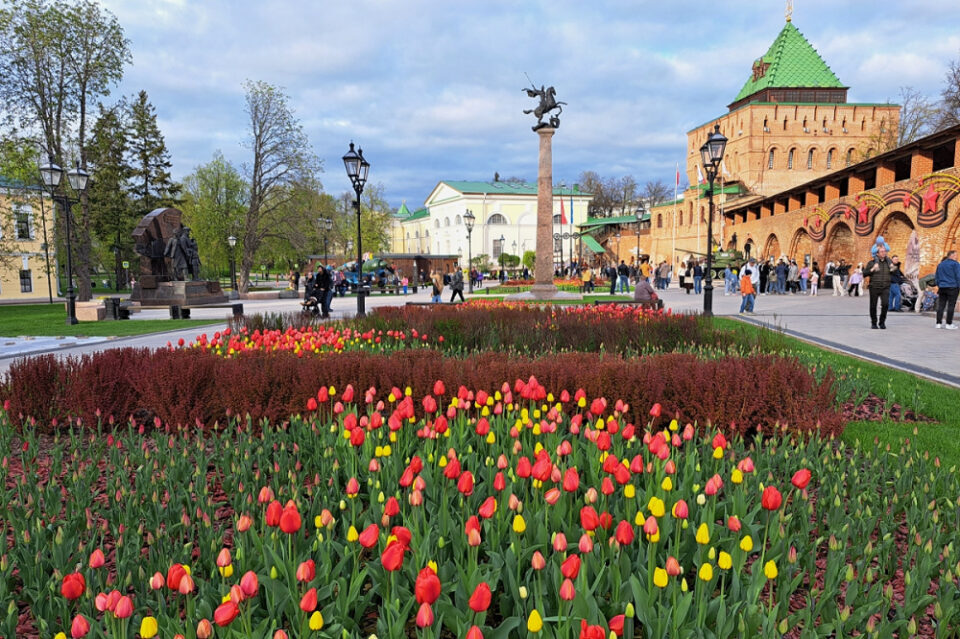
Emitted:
<point x="50" y="320"/>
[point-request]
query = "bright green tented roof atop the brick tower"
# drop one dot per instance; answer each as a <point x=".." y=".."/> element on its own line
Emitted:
<point x="793" y="62"/>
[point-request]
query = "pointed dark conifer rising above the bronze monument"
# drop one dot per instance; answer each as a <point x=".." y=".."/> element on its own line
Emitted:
<point x="151" y="185"/>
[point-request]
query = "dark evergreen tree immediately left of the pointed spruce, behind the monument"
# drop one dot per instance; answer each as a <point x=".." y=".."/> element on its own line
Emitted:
<point x="111" y="214"/>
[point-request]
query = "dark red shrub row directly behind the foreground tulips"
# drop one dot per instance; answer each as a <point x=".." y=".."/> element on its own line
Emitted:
<point x="186" y="386"/>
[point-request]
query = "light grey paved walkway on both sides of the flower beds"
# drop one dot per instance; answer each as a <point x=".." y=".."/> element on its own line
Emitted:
<point x="840" y="323"/>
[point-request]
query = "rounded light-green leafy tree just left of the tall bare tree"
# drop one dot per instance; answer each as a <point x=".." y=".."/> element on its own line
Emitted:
<point x="213" y="207"/>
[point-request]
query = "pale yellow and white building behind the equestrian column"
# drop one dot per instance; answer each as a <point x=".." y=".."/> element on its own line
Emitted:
<point x="505" y="220"/>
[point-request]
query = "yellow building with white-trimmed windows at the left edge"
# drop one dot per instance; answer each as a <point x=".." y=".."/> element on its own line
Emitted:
<point x="26" y="236"/>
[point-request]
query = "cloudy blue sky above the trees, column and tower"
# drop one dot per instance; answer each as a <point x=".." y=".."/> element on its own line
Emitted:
<point x="432" y="89"/>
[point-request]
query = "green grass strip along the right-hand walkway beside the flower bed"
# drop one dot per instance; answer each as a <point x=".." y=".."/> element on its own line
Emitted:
<point x="923" y="396"/>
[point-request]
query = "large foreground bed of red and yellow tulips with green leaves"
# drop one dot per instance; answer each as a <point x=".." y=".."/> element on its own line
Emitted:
<point x="494" y="511"/>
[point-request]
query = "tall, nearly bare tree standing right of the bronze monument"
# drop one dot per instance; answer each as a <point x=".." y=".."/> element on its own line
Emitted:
<point x="281" y="158"/>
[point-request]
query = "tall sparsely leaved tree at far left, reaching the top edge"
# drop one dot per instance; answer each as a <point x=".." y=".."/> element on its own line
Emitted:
<point x="56" y="58"/>
